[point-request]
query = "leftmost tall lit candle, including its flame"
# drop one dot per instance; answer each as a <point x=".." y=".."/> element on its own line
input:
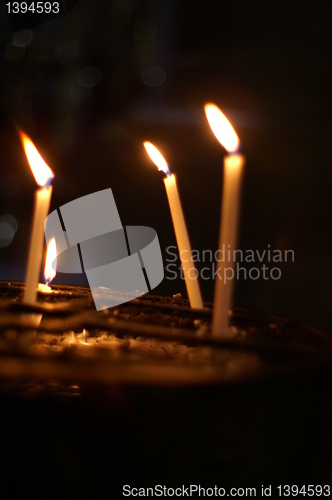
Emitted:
<point x="43" y="176"/>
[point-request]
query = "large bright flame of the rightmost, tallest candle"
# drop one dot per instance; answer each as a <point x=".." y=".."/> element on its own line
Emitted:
<point x="221" y="128"/>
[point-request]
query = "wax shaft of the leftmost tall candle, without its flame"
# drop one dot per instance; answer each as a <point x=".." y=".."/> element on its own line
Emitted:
<point x="42" y="204"/>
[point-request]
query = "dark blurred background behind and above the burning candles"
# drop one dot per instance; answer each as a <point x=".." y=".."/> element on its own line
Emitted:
<point x="90" y="86"/>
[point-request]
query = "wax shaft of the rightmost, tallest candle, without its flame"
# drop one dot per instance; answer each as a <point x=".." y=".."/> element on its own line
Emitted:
<point x="233" y="169"/>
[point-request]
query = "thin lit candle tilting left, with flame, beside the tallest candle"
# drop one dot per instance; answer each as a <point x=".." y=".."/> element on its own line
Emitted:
<point x="189" y="271"/>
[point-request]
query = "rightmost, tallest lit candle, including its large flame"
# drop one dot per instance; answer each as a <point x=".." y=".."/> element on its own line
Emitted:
<point x="233" y="170"/>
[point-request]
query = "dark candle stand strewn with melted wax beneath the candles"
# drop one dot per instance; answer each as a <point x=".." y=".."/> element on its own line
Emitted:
<point x="148" y="396"/>
